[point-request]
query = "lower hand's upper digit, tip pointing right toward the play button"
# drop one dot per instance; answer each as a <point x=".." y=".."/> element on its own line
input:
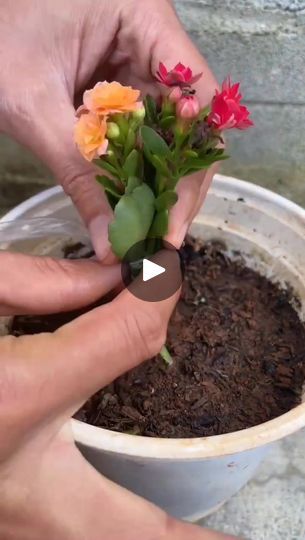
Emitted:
<point x="43" y="285"/>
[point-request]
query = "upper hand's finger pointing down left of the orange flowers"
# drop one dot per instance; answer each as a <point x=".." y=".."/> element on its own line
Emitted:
<point x="52" y="139"/>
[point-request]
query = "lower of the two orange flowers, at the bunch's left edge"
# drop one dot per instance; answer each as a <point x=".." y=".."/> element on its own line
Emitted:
<point x="90" y="136"/>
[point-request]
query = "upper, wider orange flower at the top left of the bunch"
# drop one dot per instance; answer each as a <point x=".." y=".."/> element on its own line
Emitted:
<point x="111" y="98"/>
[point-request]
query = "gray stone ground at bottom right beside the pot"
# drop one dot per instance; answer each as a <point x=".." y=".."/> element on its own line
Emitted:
<point x="272" y="506"/>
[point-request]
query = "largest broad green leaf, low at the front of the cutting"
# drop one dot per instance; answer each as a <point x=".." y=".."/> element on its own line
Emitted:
<point x="133" y="217"/>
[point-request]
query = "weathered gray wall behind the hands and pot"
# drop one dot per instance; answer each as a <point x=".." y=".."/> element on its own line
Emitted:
<point x="262" y="44"/>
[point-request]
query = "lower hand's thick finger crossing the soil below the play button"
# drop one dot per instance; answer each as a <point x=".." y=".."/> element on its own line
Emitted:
<point x="73" y="363"/>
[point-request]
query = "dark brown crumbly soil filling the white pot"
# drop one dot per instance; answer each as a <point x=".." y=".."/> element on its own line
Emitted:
<point x="238" y="356"/>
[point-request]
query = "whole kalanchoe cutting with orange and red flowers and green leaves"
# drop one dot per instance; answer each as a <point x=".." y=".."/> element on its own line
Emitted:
<point x="145" y="148"/>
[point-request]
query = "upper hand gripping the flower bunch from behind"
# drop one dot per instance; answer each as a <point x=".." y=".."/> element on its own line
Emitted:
<point x="53" y="50"/>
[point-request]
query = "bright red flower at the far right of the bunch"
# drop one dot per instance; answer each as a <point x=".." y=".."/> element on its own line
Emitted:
<point x="227" y="112"/>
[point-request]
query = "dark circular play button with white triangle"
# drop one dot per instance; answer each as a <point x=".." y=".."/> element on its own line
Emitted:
<point x="156" y="277"/>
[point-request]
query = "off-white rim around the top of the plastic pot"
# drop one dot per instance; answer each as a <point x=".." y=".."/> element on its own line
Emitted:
<point x="201" y="447"/>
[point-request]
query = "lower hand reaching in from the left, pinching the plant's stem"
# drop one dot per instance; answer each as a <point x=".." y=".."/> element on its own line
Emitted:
<point x="47" y="489"/>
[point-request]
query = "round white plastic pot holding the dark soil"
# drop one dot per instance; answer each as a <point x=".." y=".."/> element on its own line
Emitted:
<point x="190" y="478"/>
